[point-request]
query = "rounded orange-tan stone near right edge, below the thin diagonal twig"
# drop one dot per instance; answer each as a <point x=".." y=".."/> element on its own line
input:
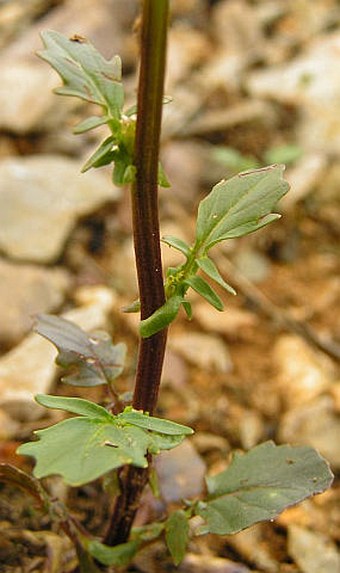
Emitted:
<point x="302" y="373"/>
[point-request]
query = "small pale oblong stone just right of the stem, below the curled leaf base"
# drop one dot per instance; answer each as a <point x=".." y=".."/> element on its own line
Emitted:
<point x="205" y="351"/>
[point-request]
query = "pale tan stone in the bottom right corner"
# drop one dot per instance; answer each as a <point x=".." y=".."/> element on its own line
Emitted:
<point x="313" y="552"/>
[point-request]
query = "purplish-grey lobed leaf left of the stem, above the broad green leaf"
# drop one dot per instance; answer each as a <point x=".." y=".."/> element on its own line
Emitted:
<point x="92" y="359"/>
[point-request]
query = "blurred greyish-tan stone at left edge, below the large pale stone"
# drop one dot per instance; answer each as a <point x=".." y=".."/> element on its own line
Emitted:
<point x="26" y="290"/>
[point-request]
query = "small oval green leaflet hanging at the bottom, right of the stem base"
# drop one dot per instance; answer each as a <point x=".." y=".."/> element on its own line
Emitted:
<point x="177" y="535"/>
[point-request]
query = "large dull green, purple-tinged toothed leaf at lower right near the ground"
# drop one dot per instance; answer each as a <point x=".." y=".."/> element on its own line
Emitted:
<point x="260" y="484"/>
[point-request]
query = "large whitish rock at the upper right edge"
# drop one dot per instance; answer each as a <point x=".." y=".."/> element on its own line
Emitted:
<point x="308" y="82"/>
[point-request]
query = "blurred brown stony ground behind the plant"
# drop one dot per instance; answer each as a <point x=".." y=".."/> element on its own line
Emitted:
<point x="252" y="82"/>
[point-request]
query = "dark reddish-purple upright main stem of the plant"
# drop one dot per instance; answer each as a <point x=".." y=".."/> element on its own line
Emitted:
<point x="147" y="245"/>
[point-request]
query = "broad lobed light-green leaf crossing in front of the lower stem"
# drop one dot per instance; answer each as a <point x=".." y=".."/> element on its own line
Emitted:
<point x="83" y="448"/>
